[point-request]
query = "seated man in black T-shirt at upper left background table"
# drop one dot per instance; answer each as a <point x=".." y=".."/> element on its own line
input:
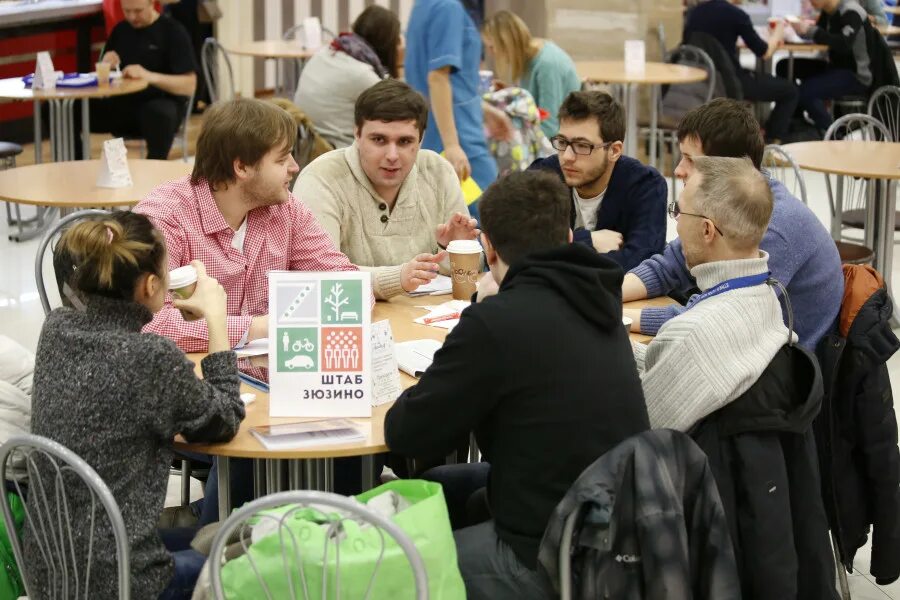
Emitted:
<point x="154" y="47"/>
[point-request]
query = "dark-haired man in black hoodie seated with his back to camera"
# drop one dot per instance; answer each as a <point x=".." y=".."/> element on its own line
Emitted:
<point x="539" y="369"/>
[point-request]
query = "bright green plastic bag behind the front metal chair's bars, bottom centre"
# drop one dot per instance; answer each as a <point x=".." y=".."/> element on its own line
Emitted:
<point x="426" y="522"/>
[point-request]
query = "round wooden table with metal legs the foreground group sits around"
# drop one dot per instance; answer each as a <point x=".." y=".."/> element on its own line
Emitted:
<point x="306" y="466"/>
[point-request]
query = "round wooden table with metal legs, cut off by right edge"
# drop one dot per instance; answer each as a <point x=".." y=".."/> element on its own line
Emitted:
<point x="867" y="160"/>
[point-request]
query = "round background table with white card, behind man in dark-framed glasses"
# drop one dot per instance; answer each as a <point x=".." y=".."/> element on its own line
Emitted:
<point x="654" y="74"/>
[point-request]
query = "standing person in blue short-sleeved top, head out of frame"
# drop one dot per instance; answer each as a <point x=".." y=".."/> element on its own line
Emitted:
<point x="443" y="56"/>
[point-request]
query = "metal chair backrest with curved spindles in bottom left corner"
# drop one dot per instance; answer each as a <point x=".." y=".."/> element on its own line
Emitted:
<point x="54" y="472"/>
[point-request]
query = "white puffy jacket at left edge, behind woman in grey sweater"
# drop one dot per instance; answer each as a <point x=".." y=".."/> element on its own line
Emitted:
<point x="16" y="377"/>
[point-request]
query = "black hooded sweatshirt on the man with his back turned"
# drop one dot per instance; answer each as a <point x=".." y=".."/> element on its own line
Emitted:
<point x="543" y="373"/>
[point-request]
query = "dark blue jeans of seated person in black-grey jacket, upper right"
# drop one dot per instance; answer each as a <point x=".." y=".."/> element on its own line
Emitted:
<point x="819" y="82"/>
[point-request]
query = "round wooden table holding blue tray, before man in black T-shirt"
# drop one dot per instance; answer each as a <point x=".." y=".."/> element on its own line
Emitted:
<point x="62" y="100"/>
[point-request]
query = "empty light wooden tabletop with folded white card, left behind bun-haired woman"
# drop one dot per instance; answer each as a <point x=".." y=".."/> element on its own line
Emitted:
<point x="72" y="184"/>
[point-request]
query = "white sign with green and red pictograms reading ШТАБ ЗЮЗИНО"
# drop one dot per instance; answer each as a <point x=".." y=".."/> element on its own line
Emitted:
<point x="320" y="357"/>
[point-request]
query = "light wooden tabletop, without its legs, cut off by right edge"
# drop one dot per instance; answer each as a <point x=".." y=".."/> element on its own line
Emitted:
<point x="876" y="160"/>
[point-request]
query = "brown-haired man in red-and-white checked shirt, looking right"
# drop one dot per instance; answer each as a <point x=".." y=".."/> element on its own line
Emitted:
<point x="235" y="213"/>
